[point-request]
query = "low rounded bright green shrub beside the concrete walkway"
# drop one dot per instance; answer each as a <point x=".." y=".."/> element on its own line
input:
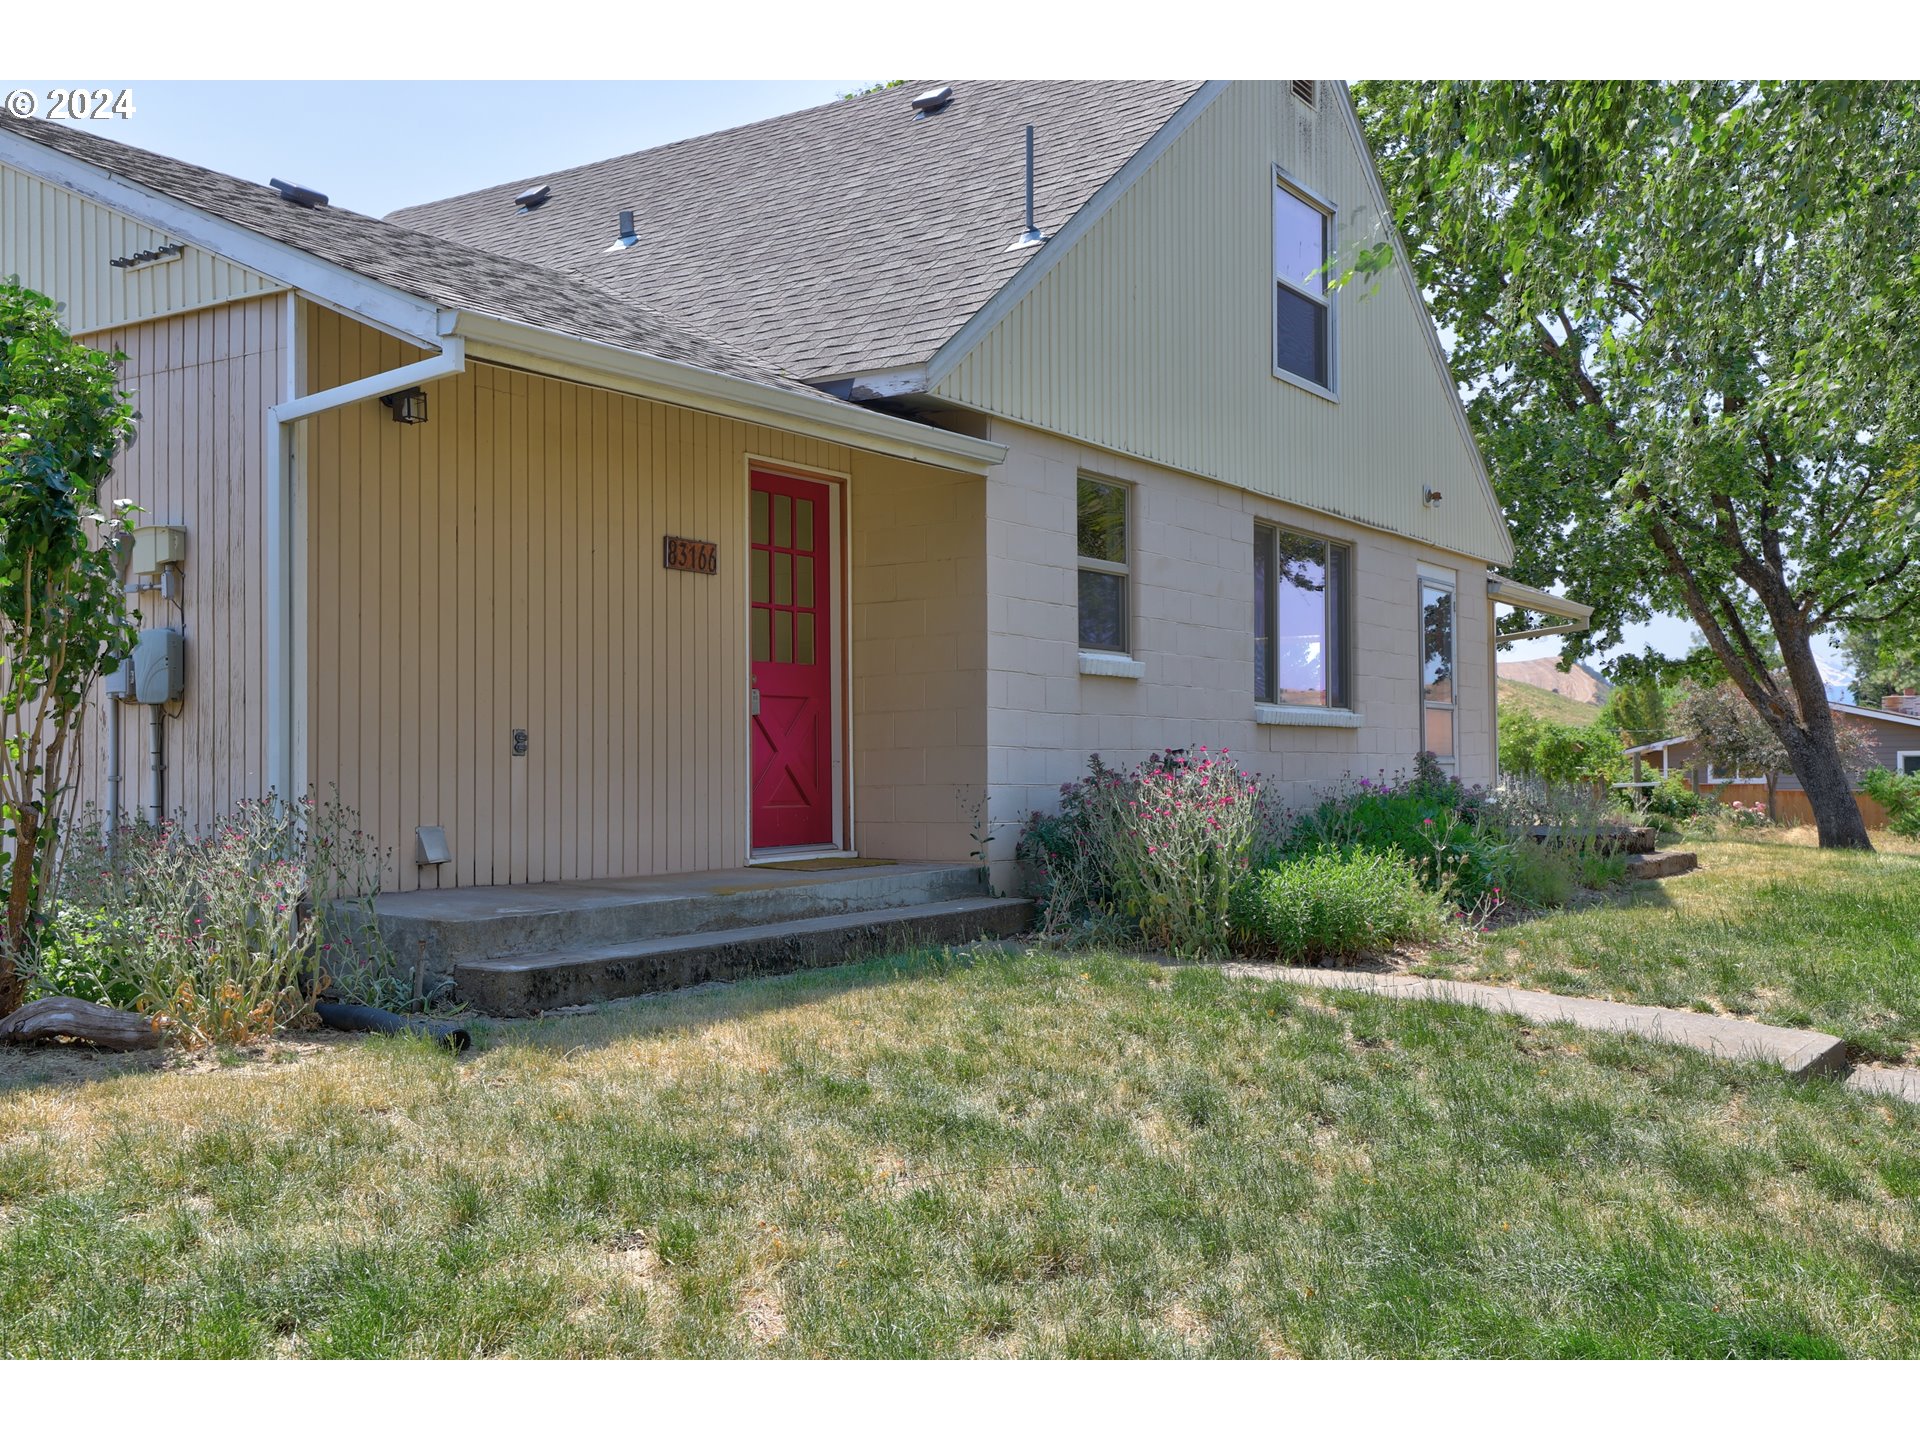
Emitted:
<point x="1335" y="903"/>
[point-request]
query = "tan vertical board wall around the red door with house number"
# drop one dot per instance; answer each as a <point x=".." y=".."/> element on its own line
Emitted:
<point x="500" y="567"/>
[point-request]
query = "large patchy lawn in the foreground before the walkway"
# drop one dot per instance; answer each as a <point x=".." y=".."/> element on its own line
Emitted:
<point x="967" y="1157"/>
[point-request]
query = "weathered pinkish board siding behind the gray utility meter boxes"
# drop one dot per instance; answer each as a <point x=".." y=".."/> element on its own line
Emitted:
<point x="201" y="383"/>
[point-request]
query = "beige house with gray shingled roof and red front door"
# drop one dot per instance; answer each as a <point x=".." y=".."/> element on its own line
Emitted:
<point x="782" y="491"/>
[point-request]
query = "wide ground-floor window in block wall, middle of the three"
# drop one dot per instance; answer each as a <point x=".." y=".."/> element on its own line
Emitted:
<point x="1299" y="619"/>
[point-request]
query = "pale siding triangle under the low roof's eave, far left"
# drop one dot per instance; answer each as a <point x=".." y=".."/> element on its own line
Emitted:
<point x="64" y="245"/>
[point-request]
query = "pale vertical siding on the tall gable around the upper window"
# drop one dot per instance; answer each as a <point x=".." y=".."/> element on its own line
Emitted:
<point x="1153" y="337"/>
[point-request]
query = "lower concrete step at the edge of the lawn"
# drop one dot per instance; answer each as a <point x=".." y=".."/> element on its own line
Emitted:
<point x="529" y="984"/>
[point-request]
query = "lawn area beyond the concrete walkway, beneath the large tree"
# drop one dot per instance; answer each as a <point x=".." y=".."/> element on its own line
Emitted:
<point x="1769" y="928"/>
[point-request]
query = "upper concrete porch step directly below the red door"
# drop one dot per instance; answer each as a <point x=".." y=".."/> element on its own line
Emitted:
<point x="448" y="928"/>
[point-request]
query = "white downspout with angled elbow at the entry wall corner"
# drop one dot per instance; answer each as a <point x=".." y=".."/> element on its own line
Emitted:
<point x="279" y="514"/>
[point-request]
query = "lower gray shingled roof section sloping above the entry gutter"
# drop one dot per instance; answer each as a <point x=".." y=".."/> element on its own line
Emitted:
<point x="427" y="266"/>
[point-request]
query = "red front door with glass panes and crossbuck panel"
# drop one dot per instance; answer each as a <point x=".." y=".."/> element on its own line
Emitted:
<point x="792" y="640"/>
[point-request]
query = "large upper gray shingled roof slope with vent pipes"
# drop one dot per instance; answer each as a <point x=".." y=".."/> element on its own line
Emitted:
<point x="842" y="239"/>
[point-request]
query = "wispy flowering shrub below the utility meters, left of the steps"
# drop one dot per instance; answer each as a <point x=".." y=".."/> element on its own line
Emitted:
<point x="210" y="932"/>
